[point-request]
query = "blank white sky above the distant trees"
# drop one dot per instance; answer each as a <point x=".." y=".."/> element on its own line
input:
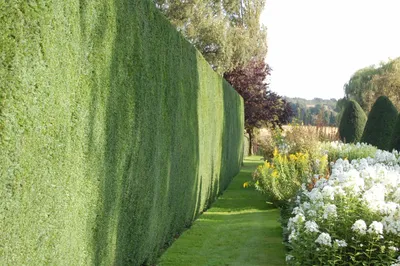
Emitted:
<point x="315" y="46"/>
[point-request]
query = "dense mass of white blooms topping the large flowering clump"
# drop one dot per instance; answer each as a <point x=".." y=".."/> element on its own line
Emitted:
<point x="376" y="183"/>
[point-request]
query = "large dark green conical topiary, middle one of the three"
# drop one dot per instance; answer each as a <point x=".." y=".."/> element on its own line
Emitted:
<point x="380" y="124"/>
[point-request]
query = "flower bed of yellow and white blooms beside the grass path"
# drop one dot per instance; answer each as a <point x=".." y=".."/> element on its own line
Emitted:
<point x="348" y="214"/>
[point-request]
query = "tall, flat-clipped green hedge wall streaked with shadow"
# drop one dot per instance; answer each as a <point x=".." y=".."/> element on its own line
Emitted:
<point x="114" y="132"/>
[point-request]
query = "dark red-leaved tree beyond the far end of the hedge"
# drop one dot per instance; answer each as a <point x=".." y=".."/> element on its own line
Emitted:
<point x="261" y="106"/>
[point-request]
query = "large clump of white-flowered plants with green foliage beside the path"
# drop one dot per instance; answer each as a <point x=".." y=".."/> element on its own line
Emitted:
<point x="350" y="218"/>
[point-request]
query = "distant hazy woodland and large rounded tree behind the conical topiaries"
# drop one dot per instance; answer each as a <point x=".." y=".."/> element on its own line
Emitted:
<point x="365" y="87"/>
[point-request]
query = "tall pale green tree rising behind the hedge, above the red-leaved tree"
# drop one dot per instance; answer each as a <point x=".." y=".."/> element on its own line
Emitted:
<point x="226" y="32"/>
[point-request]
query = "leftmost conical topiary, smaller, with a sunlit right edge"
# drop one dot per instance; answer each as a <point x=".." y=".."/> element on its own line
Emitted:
<point x="352" y="123"/>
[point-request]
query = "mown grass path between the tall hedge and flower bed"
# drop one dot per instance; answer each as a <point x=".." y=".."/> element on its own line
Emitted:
<point x="239" y="229"/>
